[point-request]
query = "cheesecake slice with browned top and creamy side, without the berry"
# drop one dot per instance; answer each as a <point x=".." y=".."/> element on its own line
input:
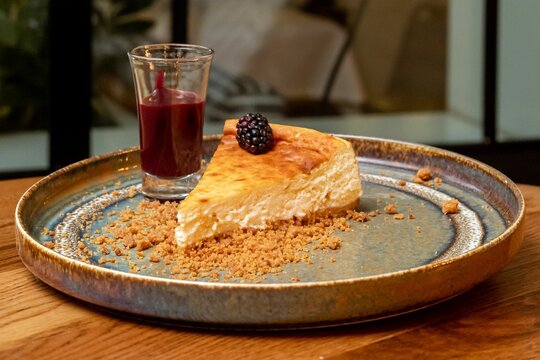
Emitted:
<point x="305" y="173"/>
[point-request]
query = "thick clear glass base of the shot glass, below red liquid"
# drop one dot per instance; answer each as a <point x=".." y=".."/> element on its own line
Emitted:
<point x="159" y="188"/>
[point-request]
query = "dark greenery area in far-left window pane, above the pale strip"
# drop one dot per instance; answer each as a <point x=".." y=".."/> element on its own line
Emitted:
<point x="24" y="64"/>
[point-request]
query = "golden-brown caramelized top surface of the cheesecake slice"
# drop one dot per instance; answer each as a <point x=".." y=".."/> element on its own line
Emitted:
<point x="296" y="151"/>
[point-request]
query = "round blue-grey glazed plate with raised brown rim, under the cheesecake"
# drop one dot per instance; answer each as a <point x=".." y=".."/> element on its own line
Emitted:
<point x="381" y="270"/>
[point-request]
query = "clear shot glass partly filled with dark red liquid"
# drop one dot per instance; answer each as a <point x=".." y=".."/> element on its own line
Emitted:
<point x="170" y="87"/>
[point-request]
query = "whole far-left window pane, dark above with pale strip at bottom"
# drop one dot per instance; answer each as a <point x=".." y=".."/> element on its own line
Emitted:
<point x="24" y="85"/>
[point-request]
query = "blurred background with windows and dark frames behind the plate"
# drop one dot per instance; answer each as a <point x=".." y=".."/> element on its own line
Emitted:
<point x="458" y="74"/>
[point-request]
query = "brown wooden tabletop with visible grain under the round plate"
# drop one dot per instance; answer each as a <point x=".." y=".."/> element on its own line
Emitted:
<point x="498" y="319"/>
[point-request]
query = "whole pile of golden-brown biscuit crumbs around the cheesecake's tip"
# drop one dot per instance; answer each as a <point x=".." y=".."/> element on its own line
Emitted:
<point x="247" y="254"/>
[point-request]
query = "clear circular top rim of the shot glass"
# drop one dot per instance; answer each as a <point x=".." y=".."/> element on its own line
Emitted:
<point x="142" y="52"/>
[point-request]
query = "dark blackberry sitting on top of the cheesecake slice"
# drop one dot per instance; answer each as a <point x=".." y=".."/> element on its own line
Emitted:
<point x="254" y="134"/>
